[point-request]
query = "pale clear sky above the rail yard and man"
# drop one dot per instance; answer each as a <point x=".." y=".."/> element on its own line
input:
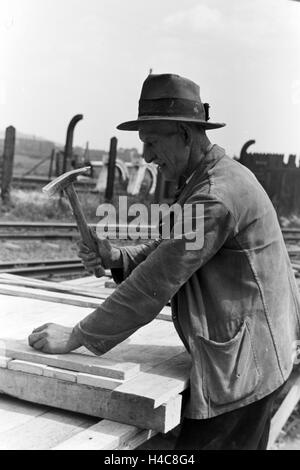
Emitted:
<point x="64" y="57"/>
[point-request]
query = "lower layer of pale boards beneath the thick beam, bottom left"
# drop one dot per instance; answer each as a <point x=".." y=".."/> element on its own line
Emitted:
<point x="28" y="426"/>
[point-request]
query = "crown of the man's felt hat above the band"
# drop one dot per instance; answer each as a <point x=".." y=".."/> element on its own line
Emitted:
<point x="169" y="86"/>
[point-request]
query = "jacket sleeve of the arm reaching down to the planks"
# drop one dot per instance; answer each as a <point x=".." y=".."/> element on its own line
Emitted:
<point x="140" y="298"/>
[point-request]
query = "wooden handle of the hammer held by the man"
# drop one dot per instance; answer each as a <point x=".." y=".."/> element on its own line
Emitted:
<point x="82" y="224"/>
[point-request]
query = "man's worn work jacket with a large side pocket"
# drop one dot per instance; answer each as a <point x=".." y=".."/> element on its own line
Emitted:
<point x="235" y="302"/>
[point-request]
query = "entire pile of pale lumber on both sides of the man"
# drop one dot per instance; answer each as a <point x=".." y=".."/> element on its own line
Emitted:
<point x="136" y="385"/>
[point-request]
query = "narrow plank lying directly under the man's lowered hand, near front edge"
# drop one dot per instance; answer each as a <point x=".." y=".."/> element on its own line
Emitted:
<point x="72" y="361"/>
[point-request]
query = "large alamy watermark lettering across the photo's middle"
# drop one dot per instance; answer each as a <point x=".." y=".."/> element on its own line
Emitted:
<point x="139" y="222"/>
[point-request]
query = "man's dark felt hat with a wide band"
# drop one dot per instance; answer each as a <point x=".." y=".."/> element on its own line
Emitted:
<point x="169" y="97"/>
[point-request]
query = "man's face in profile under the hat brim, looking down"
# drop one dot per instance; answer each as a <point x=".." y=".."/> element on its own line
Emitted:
<point x="165" y="146"/>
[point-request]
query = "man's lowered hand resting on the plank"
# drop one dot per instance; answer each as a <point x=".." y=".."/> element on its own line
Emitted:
<point x="53" y="339"/>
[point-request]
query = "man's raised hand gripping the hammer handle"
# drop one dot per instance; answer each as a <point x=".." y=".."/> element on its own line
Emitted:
<point x="107" y="256"/>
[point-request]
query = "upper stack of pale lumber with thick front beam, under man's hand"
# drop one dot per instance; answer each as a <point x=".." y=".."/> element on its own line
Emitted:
<point x="138" y="383"/>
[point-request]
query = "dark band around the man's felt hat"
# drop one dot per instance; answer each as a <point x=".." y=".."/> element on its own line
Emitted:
<point x="172" y="107"/>
